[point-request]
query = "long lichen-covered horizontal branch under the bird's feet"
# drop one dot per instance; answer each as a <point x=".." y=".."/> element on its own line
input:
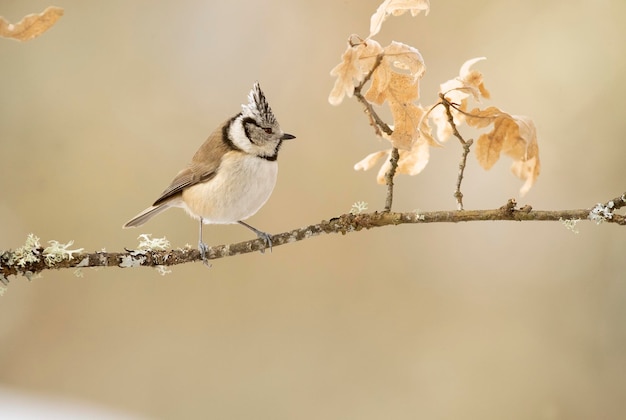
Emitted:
<point x="343" y="224"/>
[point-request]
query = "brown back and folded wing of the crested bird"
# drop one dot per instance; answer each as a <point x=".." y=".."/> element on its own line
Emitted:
<point x="202" y="168"/>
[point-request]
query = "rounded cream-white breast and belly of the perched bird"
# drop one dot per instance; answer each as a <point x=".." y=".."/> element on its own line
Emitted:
<point x="242" y="185"/>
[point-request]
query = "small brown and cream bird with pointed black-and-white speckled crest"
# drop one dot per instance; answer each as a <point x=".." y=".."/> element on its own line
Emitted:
<point x="231" y="176"/>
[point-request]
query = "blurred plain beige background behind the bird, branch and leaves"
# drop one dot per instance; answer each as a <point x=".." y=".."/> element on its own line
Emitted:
<point x="472" y="321"/>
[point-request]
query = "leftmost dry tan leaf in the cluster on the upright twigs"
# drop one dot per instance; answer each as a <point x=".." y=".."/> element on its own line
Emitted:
<point x="356" y="62"/>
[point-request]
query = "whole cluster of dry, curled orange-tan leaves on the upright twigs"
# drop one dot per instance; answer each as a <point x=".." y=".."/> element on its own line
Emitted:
<point x="394" y="78"/>
